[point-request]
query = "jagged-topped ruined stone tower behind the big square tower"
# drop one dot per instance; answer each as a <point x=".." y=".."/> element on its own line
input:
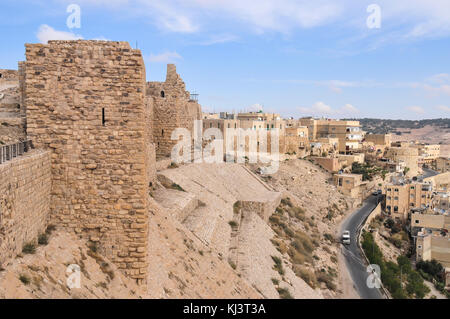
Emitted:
<point x="172" y="107"/>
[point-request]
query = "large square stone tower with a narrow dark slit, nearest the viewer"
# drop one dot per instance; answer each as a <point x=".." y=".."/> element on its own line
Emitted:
<point x="85" y="101"/>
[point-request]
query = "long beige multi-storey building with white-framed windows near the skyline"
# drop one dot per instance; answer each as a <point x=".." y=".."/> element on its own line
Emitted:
<point x="349" y="133"/>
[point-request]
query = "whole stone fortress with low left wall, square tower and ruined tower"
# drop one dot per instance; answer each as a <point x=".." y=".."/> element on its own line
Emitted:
<point x="96" y="126"/>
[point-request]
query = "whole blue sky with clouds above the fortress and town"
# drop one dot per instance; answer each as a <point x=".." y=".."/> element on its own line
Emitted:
<point x="293" y="57"/>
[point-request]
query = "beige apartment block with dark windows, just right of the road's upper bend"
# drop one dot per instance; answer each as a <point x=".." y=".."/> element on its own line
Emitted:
<point x="402" y="198"/>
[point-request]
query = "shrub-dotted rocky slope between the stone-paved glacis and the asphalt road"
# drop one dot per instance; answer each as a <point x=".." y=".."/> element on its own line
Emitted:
<point x="312" y="208"/>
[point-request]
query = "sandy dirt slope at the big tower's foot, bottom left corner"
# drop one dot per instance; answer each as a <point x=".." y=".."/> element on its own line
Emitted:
<point x="42" y="274"/>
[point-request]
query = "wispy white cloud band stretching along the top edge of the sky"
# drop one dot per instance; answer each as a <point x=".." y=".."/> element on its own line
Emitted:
<point x="403" y="20"/>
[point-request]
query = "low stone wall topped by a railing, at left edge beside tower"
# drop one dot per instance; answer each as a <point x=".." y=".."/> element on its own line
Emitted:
<point x="25" y="184"/>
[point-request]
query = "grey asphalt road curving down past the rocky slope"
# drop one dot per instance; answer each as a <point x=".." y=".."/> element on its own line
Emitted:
<point x="354" y="259"/>
